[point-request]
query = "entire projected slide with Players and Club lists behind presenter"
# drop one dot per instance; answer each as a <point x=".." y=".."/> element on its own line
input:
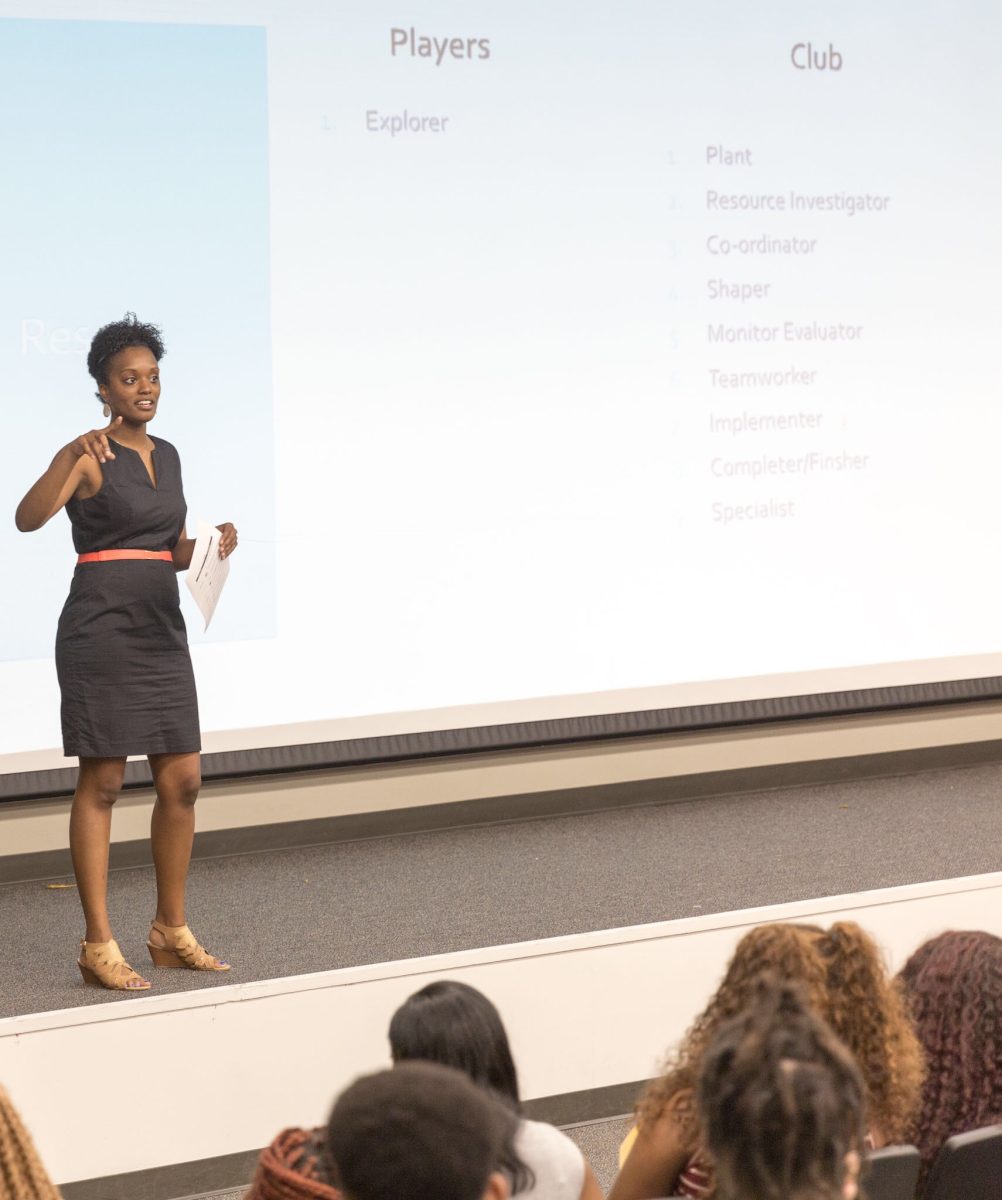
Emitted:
<point x="553" y="361"/>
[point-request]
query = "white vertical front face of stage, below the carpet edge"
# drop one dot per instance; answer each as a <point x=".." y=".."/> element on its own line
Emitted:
<point x="584" y="1012"/>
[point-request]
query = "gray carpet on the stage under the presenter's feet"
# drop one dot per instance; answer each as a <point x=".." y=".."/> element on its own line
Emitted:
<point x="299" y="911"/>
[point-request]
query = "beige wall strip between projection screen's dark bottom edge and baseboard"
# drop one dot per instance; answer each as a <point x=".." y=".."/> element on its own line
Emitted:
<point x="964" y="734"/>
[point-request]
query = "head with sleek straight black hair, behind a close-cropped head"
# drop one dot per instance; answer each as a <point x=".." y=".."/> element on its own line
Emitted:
<point x="454" y="1024"/>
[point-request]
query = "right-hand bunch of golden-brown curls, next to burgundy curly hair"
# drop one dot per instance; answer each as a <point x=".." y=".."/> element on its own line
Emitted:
<point x="867" y="1010"/>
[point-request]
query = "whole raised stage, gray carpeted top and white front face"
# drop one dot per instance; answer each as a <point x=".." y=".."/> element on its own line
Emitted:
<point x="599" y="937"/>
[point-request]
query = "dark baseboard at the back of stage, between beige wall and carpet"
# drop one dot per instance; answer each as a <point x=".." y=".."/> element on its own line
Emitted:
<point x="524" y="807"/>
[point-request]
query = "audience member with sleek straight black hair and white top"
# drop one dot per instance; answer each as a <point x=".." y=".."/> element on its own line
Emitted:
<point x="454" y="1024"/>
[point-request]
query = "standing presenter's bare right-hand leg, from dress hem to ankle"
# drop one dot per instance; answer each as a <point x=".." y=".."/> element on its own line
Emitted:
<point x="177" y="778"/>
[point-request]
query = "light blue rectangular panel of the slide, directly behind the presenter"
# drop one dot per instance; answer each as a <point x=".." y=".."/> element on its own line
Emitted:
<point x="152" y="197"/>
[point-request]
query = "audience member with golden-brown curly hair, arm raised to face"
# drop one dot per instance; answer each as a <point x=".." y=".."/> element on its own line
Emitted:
<point x="845" y="982"/>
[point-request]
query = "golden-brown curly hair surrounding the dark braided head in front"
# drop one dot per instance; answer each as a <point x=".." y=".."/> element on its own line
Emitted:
<point x="847" y="983"/>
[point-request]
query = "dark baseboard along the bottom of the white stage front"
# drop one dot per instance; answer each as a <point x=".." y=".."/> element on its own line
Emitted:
<point x="232" y="1172"/>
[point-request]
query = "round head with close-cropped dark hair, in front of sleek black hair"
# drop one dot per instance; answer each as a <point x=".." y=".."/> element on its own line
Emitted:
<point x="419" y="1132"/>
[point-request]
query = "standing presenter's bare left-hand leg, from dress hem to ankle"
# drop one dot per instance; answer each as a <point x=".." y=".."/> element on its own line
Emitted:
<point x="91" y="833"/>
